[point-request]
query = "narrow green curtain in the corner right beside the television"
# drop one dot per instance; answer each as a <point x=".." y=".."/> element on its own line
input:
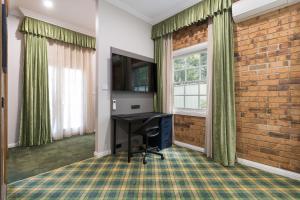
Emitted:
<point x="158" y="58"/>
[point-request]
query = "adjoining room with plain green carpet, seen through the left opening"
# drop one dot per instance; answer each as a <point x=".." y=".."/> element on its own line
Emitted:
<point x="68" y="133"/>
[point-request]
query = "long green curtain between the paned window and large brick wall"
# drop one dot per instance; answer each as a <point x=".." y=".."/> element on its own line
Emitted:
<point x="223" y="119"/>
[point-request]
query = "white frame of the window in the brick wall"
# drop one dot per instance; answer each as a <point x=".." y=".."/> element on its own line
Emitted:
<point x="182" y="53"/>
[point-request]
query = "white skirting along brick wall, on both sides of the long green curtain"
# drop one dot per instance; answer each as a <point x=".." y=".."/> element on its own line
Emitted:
<point x="267" y="168"/>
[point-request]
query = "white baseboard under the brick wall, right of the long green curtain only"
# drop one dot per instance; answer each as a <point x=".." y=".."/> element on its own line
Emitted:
<point x="270" y="169"/>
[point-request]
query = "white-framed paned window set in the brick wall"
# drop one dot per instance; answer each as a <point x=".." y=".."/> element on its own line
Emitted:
<point x="190" y="80"/>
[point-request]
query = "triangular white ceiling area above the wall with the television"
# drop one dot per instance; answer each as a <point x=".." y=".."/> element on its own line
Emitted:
<point x="153" y="11"/>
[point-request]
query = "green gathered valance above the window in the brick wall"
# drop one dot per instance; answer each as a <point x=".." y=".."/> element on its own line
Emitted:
<point x="196" y="13"/>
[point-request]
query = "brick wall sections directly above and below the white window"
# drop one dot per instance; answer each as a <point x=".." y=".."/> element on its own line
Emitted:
<point x="189" y="129"/>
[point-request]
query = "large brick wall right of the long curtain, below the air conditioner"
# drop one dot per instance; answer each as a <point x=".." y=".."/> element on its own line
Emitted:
<point x="267" y="66"/>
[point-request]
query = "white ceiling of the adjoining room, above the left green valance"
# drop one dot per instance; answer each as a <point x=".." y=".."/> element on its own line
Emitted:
<point x="80" y="13"/>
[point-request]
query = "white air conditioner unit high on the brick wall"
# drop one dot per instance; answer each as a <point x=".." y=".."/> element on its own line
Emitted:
<point x="247" y="9"/>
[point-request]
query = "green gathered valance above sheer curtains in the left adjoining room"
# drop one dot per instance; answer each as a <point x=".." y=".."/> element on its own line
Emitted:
<point x="40" y="28"/>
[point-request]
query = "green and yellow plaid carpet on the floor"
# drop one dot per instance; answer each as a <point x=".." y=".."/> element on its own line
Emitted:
<point x="184" y="174"/>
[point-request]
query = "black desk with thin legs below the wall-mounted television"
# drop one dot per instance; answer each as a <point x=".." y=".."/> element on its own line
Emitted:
<point x="131" y="118"/>
